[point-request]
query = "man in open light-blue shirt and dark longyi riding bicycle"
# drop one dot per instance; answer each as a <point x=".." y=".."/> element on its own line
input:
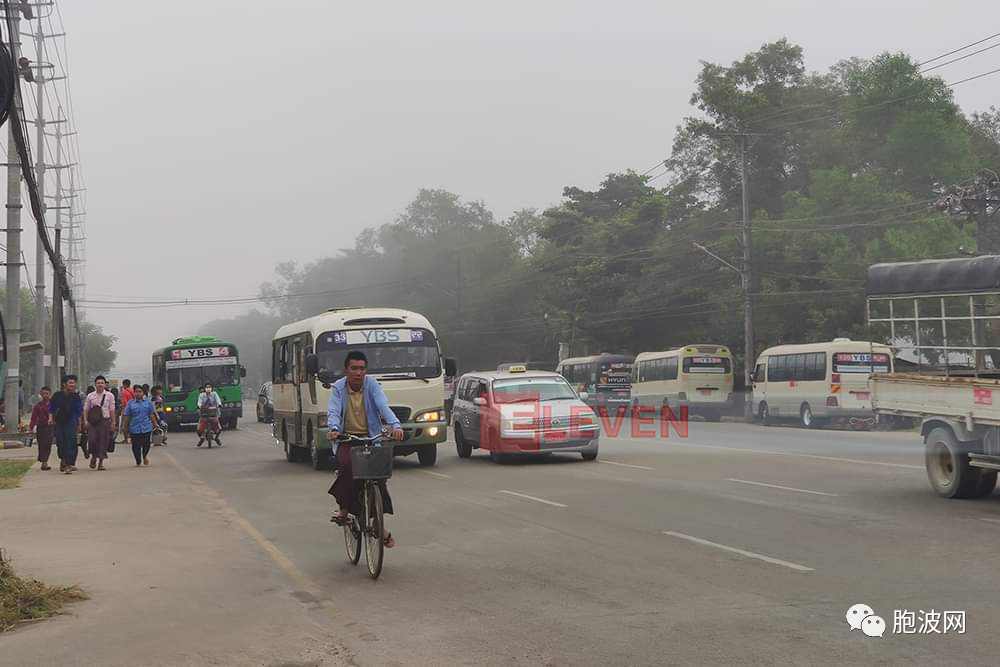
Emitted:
<point x="358" y="406"/>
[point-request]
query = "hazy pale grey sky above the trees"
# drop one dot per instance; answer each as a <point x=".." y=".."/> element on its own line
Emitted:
<point x="219" y="138"/>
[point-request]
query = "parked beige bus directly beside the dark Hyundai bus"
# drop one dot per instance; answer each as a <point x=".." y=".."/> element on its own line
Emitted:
<point x="698" y="376"/>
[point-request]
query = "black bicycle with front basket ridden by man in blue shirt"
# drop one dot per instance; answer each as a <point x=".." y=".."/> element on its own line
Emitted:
<point x="373" y="464"/>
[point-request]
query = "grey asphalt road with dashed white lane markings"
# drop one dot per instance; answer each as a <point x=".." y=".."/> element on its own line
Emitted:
<point x="738" y="544"/>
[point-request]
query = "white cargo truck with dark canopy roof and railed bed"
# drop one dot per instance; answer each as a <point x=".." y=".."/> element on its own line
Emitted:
<point x="942" y="318"/>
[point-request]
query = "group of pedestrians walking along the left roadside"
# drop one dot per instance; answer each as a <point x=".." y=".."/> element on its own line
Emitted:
<point x="91" y="421"/>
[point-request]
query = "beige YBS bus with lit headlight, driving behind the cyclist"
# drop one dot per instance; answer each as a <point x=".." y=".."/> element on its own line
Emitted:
<point x="403" y="355"/>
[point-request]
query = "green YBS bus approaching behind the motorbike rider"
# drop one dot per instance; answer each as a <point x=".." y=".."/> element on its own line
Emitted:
<point x="185" y="365"/>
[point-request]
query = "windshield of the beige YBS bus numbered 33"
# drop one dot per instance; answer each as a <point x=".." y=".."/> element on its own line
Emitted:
<point x="404" y="352"/>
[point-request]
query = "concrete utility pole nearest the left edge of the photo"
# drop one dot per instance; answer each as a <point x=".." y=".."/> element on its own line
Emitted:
<point x="12" y="317"/>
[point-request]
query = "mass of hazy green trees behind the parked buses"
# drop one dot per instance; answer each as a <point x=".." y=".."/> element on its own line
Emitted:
<point x="844" y="167"/>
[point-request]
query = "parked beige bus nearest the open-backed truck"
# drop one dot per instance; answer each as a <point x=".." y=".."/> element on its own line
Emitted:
<point x="817" y="382"/>
